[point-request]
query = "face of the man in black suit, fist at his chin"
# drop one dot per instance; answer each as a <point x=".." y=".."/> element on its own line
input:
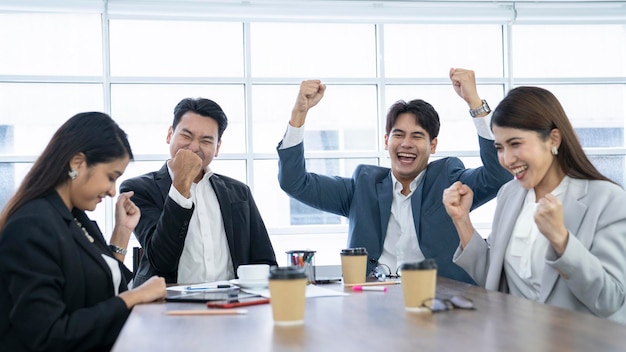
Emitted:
<point x="196" y="133"/>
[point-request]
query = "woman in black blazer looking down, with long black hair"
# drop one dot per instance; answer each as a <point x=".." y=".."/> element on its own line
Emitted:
<point x="62" y="288"/>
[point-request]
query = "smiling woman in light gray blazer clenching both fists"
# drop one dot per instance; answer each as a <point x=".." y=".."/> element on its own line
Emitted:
<point x="559" y="230"/>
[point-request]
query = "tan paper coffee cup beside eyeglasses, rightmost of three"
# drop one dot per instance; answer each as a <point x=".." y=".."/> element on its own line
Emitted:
<point x="419" y="283"/>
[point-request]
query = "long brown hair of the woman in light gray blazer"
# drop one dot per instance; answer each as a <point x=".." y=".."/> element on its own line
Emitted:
<point x="537" y="109"/>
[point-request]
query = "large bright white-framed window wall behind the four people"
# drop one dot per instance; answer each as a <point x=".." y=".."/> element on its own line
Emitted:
<point x="136" y="60"/>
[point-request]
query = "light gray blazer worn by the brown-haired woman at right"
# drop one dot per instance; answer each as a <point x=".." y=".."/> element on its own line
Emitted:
<point x="590" y="276"/>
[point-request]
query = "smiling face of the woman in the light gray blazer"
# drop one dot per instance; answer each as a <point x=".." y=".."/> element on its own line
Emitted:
<point x="529" y="158"/>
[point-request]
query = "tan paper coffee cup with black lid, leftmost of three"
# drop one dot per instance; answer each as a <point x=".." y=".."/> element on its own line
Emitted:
<point x="288" y="295"/>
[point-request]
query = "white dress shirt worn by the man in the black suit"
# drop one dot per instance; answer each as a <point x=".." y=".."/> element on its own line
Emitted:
<point x="206" y="255"/>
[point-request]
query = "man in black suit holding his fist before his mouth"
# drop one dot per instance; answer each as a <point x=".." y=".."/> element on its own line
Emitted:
<point x="196" y="226"/>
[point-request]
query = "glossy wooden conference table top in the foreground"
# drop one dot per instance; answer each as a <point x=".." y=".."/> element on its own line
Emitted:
<point x="377" y="321"/>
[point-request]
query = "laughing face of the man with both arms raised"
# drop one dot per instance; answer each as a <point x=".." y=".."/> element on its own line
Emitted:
<point x="409" y="147"/>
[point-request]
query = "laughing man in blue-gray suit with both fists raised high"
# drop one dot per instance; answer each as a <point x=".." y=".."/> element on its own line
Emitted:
<point x="397" y="213"/>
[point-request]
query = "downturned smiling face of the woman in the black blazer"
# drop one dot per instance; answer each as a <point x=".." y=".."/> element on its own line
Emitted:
<point x="94" y="183"/>
